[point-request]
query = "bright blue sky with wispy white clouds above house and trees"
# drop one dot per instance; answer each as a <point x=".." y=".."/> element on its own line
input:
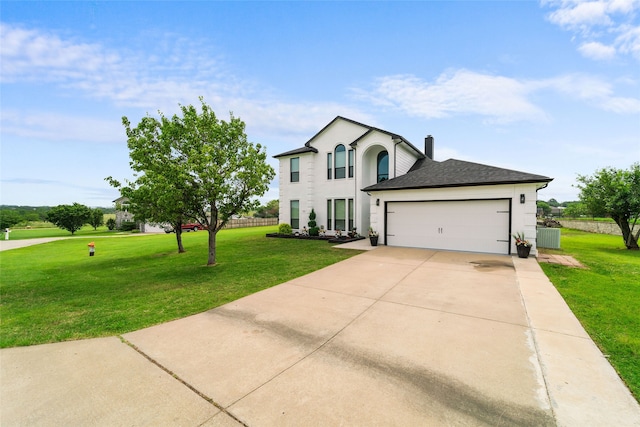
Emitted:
<point x="550" y="87"/>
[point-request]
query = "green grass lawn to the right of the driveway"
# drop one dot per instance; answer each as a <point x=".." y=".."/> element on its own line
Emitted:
<point x="605" y="297"/>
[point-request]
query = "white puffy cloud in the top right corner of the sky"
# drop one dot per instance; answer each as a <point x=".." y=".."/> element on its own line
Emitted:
<point x="606" y="28"/>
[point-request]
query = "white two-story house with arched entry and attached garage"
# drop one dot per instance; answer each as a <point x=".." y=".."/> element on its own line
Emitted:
<point x="358" y="176"/>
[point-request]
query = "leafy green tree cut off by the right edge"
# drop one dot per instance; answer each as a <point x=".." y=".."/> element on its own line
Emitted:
<point x="615" y="193"/>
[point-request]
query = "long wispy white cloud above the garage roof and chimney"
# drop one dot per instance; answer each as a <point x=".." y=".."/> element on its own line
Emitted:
<point x="500" y="99"/>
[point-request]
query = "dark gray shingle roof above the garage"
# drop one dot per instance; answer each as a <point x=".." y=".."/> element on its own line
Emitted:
<point x="427" y="173"/>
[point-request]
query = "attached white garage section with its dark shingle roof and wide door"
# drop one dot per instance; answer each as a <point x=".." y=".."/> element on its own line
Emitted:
<point x="456" y="205"/>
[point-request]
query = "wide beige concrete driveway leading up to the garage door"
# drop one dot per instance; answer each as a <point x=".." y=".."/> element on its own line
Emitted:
<point x="394" y="336"/>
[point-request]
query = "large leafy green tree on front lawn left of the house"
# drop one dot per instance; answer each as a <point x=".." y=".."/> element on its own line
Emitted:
<point x="205" y="166"/>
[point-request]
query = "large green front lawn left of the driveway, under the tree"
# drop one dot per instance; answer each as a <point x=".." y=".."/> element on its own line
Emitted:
<point x="56" y="292"/>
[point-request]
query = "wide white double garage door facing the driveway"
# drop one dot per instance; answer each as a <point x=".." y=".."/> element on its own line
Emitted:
<point x="474" y="226"/>
